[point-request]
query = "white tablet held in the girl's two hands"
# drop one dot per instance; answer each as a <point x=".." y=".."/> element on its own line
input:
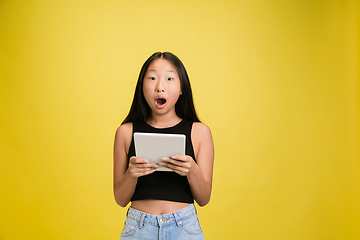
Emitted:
<point x="154" y="146"/>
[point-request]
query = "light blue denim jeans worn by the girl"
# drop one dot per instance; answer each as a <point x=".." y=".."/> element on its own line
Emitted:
<point x="182" y="224"/>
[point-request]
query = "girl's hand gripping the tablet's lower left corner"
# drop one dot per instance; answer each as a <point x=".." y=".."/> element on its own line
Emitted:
<point x="140" y="167"/>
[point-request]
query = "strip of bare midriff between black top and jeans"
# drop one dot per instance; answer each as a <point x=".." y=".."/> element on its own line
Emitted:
<point x="157" y="207"/>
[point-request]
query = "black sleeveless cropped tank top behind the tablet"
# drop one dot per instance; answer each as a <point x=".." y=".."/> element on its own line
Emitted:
<point x="163" y="185"/>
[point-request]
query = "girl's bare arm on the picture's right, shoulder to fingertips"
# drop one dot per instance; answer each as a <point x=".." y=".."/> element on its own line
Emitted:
<point x="199" y="174"/>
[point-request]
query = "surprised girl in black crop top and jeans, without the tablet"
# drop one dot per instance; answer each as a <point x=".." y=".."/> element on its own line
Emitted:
<point x="162" y="201"/>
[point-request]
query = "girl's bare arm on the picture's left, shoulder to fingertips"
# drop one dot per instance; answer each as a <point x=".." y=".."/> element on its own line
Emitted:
<point x="126" y="174"/>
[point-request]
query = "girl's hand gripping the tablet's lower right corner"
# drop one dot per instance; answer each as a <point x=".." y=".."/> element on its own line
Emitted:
<point x="182" y="165"/>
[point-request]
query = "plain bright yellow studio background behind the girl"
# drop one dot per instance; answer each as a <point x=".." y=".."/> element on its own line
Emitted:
<point x="276" y="81"/>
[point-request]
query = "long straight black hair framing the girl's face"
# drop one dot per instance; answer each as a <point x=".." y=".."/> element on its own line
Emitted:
<point x="184" y="107"/>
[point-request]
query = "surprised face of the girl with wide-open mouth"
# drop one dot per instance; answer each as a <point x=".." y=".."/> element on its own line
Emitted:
<point x="161" y="86"/>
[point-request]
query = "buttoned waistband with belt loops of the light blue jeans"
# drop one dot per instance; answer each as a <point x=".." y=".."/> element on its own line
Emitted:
<point x="164" y="219"/>
